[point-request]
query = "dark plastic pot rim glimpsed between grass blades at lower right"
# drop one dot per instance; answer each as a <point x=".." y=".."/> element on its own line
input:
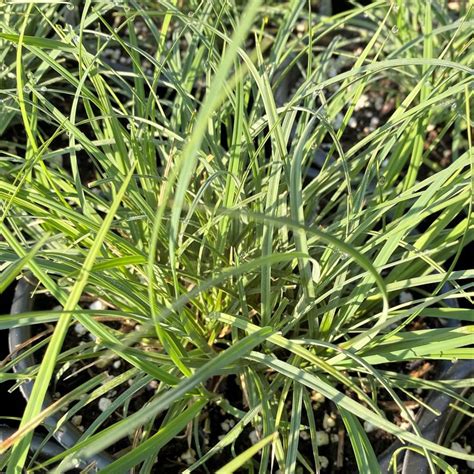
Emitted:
<point x="432" y="427"/>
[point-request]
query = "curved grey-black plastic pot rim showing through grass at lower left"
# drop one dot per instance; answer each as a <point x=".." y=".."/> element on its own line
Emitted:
<point x="67" y="434"/>
